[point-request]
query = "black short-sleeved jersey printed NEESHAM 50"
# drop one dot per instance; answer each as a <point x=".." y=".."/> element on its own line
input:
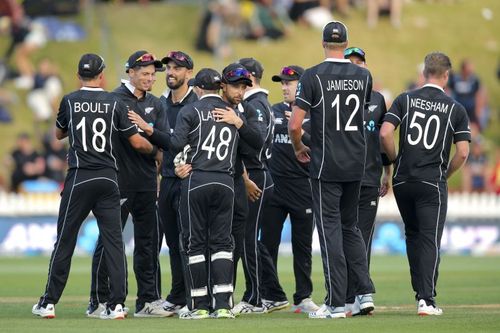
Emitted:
<point x="430" y="121"/>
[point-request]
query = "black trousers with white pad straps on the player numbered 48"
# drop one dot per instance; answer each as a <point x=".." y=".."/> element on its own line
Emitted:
<point x="206" y="215"/>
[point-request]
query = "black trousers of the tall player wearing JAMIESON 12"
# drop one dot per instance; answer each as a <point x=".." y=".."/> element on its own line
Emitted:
<point x="335" y="207"/>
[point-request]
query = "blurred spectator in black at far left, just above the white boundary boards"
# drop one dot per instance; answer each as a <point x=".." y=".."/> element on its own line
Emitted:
<point x="26" y="162"/>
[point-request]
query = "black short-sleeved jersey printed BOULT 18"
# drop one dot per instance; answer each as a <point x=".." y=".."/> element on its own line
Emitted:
<point x="93" y="119"/>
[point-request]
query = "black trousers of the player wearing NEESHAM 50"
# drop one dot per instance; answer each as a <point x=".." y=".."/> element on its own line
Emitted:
<point x="423" y="207"/>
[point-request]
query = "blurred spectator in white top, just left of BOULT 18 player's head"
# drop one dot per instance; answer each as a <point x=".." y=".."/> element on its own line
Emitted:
<point x="44" y="98"/>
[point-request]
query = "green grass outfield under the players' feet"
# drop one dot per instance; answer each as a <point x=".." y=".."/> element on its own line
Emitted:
<point x="469" y="293"/>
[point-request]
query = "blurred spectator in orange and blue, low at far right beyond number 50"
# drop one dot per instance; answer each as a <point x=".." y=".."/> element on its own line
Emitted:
<point x="475" y="170"/>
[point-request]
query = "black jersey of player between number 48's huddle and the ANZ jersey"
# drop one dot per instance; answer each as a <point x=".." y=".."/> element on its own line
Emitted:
<point x="257" y="111"/>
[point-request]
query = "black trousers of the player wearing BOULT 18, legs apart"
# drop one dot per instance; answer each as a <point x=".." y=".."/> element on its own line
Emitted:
<point x="88" y="191"/>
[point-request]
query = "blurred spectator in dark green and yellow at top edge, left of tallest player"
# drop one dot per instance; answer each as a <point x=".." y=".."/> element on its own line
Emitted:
<point x="265" y="20"/>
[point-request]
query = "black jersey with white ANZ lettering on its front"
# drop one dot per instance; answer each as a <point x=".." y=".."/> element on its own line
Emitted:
<point x="283" y="162"/>
